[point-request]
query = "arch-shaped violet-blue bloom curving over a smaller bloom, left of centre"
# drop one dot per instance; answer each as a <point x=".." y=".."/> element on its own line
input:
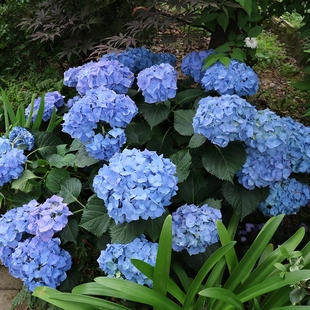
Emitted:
<point x="98" y="105"/>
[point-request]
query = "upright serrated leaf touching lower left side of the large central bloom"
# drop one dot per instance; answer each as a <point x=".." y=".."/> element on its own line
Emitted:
<point x="95" y="218"/>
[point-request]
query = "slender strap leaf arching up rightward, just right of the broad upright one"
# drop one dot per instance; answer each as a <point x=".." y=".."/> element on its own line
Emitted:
<point x="204" y="270"/>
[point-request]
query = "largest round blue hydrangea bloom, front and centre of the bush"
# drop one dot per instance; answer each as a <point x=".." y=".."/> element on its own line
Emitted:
<point x="136" y="184"/>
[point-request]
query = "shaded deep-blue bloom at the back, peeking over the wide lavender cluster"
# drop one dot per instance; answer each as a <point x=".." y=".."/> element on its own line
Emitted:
<point x="136" y="59"/>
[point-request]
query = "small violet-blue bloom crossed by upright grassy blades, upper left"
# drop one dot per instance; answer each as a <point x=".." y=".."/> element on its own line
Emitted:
<point x="52" y="100"/>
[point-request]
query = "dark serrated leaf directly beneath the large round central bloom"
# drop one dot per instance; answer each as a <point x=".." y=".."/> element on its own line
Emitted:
<point x="127" y="232"/>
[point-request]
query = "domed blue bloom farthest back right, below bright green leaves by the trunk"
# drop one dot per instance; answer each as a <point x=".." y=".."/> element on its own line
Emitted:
<point x="237" y="78"/>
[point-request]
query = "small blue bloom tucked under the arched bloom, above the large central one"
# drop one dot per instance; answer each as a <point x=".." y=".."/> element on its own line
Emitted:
<point x="104" y="147"/>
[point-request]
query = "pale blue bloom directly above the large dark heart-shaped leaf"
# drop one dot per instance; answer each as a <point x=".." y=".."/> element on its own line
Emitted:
<point x="224" y="119"/>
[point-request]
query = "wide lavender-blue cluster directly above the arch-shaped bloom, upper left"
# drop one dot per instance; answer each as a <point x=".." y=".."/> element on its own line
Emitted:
<point x="110" y="74"/>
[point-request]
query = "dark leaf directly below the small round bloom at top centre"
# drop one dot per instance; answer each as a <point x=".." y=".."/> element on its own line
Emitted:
<point x="154" y="114"/>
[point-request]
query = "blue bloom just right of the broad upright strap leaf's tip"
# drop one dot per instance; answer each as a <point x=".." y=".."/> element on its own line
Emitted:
<point x="194" y="228"/>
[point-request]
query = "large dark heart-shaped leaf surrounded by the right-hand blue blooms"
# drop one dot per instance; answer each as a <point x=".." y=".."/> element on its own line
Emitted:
<point x="224" y="162"/>
